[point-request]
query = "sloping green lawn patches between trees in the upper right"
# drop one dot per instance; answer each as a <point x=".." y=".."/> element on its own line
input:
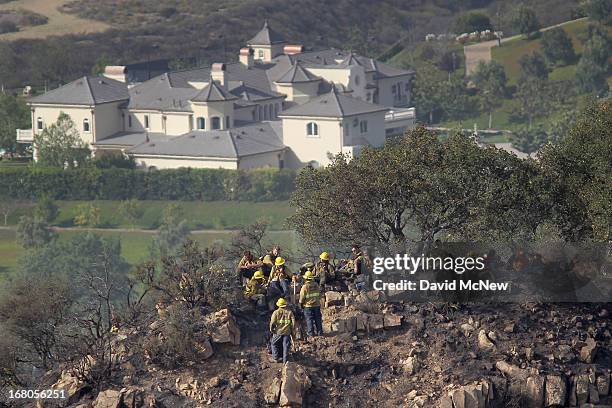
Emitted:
<point x="510" y="52"/>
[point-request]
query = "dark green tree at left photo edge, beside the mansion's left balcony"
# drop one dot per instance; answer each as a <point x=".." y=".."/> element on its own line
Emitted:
<point x="14" y="114"/>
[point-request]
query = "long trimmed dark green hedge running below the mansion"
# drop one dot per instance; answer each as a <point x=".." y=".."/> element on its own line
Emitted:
<point x="121" y="184"/>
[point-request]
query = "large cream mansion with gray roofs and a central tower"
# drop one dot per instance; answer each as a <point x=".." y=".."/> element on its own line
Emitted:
<point x="279" y="106"/>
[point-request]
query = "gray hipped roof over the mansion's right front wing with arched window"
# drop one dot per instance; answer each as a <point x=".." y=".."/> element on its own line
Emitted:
<point x="333" y="104"/>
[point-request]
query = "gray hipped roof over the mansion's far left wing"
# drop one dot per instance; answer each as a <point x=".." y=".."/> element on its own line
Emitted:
<point x="88" y="90"/>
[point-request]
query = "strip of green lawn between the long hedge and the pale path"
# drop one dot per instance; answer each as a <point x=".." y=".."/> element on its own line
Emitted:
<point x="199" y="214"/>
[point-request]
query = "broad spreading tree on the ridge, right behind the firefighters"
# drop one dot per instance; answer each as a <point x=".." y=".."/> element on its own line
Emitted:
<point x="453" y="187"/>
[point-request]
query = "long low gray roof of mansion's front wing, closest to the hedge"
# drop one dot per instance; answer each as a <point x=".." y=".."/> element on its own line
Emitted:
<point x="233" y="143"/>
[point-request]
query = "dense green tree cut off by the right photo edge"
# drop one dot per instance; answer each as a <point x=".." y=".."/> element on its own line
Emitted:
<point x="580" y="171"/>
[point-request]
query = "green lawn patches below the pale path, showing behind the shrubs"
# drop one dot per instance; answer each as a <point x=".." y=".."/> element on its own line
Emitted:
<point x="134" y="245"/>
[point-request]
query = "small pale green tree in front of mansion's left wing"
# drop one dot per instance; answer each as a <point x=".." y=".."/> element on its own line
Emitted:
<point x="60" y="145"/>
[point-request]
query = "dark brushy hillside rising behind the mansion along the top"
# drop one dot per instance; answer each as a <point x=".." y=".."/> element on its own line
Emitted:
<point x="208" y="31"/>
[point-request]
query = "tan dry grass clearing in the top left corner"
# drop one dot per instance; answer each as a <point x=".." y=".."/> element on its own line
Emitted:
<point x="59" y="23"/>
